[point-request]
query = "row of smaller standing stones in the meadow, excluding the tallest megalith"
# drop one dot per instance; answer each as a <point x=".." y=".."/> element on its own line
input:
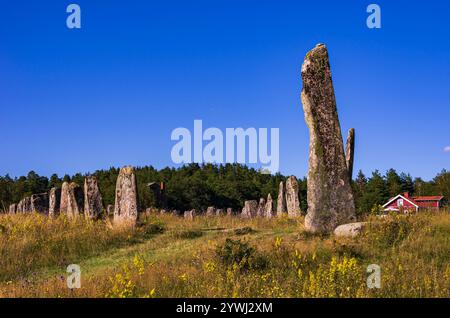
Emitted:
<point x="74" y="201"/>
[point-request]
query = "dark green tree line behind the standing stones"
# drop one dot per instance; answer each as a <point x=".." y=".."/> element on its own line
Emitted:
<point x="197" y="186"/>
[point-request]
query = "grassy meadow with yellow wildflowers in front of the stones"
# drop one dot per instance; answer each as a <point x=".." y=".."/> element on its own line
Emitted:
<point x="167" y="256"/>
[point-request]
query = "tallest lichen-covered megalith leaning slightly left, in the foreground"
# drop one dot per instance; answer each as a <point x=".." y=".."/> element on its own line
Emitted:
<point x="330" y="198"/>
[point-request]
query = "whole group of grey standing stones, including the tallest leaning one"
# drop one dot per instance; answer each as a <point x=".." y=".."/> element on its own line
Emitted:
<point x="329" y="194"/>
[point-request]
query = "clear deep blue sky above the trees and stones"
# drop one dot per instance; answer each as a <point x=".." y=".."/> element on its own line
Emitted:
<point x="111" y="93"/>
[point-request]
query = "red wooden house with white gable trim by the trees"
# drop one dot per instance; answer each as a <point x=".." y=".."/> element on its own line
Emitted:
<point x="413" y="204"/>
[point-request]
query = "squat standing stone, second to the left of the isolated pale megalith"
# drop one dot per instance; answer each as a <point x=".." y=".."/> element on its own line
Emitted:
<point x="71" y="200"/>
